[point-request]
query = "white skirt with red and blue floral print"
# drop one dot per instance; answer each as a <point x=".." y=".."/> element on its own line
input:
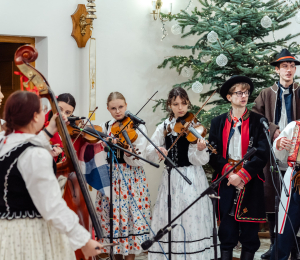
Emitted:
<point x="130" y="228"/>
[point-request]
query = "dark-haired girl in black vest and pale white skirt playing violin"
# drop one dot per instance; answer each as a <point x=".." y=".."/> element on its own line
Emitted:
<point x="189" y="157"/>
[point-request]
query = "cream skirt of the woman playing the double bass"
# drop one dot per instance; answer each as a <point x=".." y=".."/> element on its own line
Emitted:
<point x="34" y="239"/>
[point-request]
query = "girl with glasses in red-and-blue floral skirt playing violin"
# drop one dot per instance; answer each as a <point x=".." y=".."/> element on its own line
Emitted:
<point x="130" y="228"/>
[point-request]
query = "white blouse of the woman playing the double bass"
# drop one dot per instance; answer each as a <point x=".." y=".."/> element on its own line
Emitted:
<point x="36" y="167"/>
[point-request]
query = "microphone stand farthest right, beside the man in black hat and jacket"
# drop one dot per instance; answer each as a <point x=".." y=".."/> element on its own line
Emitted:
<point x="266" y="131"/>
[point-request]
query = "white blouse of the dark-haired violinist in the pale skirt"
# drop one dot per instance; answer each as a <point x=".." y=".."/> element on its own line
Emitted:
<point x="195" y="156"/>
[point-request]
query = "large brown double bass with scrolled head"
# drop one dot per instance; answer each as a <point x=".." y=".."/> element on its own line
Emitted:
<point x="76" y="193"/>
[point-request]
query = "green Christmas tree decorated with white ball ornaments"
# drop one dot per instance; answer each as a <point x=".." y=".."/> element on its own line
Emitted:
<point x="230" y="40"/>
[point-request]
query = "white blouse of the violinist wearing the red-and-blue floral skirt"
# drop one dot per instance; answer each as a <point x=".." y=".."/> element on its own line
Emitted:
<point x="140" y="143"/>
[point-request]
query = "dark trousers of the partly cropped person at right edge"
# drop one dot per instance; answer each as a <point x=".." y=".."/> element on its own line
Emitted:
<point x="287" y="239"/>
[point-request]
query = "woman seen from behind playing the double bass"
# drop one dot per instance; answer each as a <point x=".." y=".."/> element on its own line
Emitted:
<point x="35" y="221"/>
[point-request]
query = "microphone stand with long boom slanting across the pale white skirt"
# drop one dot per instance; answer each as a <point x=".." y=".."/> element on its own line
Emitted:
<point x="210" y="191"/>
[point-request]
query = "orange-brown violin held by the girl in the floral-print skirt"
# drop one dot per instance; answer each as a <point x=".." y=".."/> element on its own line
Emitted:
<point x="124" y="130"/>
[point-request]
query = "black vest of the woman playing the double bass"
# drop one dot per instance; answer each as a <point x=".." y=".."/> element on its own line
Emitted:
<point x="15" y="201"/>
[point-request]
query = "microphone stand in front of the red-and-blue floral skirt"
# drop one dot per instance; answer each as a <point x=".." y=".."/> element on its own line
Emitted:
<point x="110" y="149"/>
